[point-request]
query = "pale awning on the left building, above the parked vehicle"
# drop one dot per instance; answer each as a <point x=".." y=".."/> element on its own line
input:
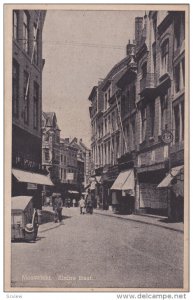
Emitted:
<point x="29" y="177"/>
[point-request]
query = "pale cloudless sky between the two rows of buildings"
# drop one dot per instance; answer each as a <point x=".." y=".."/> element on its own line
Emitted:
<point x="80" y="48"/>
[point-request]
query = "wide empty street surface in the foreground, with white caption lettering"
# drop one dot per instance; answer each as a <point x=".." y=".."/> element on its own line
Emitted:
<point x="94" y="251"/>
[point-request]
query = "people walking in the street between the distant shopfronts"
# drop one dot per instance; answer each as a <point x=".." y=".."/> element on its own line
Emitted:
<point x="86" y="206"/>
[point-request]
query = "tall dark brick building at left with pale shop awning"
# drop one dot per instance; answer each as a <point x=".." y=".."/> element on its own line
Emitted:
<point x="27" y="102"/>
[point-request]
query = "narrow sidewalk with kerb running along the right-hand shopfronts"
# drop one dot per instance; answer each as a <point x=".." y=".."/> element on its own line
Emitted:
<point x="154" y="220"/>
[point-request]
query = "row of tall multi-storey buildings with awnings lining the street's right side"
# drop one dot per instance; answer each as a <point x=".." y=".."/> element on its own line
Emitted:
<point x="140" y="105"/>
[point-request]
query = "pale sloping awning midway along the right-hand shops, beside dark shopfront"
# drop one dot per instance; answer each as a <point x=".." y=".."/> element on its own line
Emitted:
<point x="125" y="181"/>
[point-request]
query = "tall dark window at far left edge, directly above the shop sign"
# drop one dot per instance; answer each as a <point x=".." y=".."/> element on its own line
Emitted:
<point x="15" y="89"/>
